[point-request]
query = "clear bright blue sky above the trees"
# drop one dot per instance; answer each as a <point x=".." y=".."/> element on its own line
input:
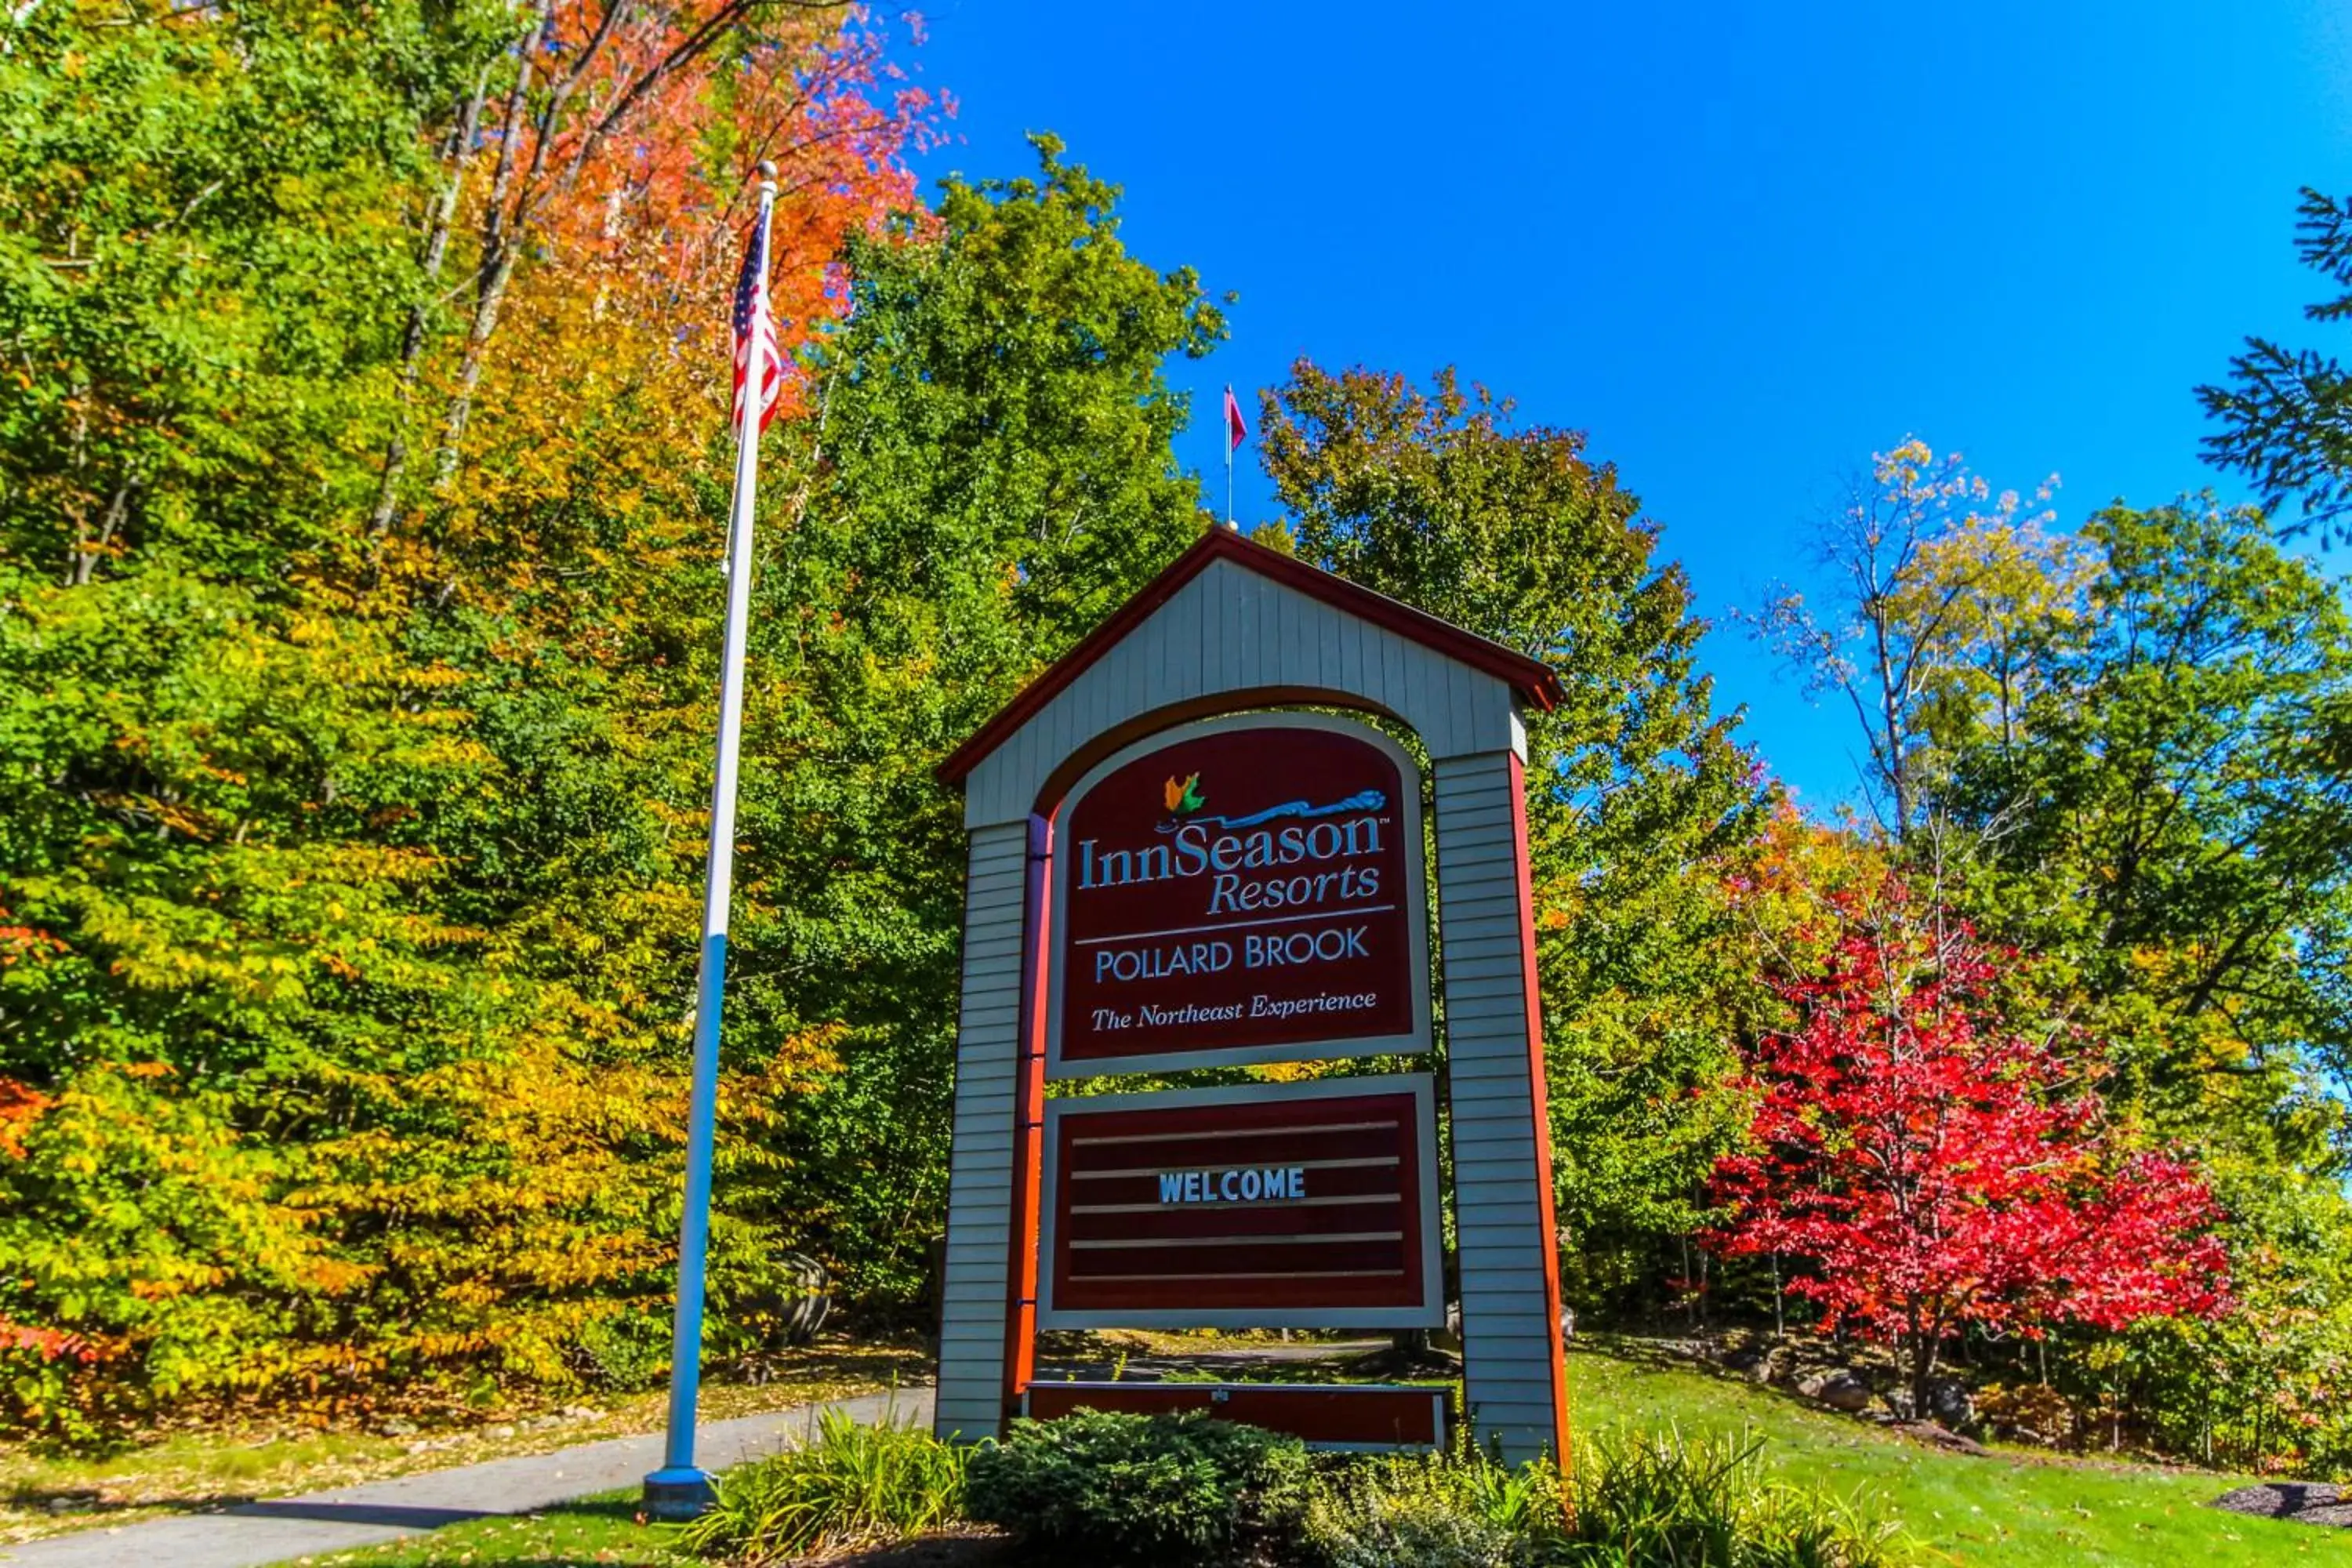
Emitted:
<point x="1739" y="246"/>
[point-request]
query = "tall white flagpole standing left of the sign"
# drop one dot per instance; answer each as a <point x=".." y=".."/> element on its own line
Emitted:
<point x="681" y="1489"/>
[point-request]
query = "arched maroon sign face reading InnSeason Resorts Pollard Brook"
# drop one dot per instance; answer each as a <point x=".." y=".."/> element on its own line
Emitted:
<point x="1241" y="892"/>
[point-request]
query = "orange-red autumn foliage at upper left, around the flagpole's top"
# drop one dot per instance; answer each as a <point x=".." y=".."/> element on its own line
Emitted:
<point x="613" y="359"/>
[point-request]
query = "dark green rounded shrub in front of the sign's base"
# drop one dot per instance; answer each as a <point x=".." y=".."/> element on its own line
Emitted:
<point x="1140" y="1489"/>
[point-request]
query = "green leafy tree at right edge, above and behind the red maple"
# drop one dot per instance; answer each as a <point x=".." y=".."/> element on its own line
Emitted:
<point x="2174" y="810"/>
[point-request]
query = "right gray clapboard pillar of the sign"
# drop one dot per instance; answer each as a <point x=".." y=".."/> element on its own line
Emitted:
<point x="1511" y="1332"/>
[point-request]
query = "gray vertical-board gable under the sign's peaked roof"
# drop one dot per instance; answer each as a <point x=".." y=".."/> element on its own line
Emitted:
<point x="1231" y="631"/>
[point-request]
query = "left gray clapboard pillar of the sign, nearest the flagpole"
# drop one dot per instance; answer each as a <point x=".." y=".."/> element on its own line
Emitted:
<point x="982" y="1167"/>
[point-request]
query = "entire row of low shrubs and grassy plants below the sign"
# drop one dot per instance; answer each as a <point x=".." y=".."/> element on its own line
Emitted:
<point x="1187" y="1492"/>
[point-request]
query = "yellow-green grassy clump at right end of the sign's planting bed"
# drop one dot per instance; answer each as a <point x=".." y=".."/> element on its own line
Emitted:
<point x="1666" y="1503"/>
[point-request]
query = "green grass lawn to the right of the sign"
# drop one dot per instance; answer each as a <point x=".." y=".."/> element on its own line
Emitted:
<point x="2003" y="1513"/>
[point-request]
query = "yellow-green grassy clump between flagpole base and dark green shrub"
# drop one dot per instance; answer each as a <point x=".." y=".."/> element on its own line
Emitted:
<point x="846" y="1487"/>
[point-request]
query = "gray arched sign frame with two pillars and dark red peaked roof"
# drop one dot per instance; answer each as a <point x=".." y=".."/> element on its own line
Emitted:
<point x="1234" y="629"/>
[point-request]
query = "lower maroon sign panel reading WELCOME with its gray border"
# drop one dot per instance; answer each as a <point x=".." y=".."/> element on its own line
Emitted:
<point x="1243" y="1207"/>
